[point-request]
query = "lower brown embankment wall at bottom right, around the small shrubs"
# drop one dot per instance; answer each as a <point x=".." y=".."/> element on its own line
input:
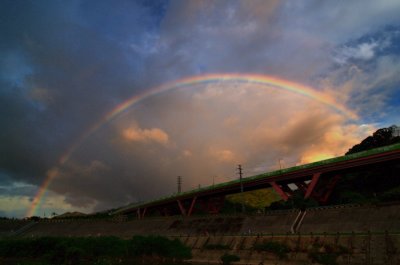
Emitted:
<point x="362" y="248"/>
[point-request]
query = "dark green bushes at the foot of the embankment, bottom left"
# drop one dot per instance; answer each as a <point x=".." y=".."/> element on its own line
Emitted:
<point x="61" y="250"/>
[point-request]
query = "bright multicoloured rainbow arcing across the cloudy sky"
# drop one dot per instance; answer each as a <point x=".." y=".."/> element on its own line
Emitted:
<point x="268" y="81"/>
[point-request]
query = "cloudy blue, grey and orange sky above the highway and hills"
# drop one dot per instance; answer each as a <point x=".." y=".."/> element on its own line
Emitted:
<point x="105" y="103"/>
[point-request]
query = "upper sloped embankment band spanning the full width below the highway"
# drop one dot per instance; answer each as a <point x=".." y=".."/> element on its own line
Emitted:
<point x="335" y="219"/>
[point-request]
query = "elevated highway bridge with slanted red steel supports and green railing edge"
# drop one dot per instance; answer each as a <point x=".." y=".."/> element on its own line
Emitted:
<point x="317" y="180"/>
